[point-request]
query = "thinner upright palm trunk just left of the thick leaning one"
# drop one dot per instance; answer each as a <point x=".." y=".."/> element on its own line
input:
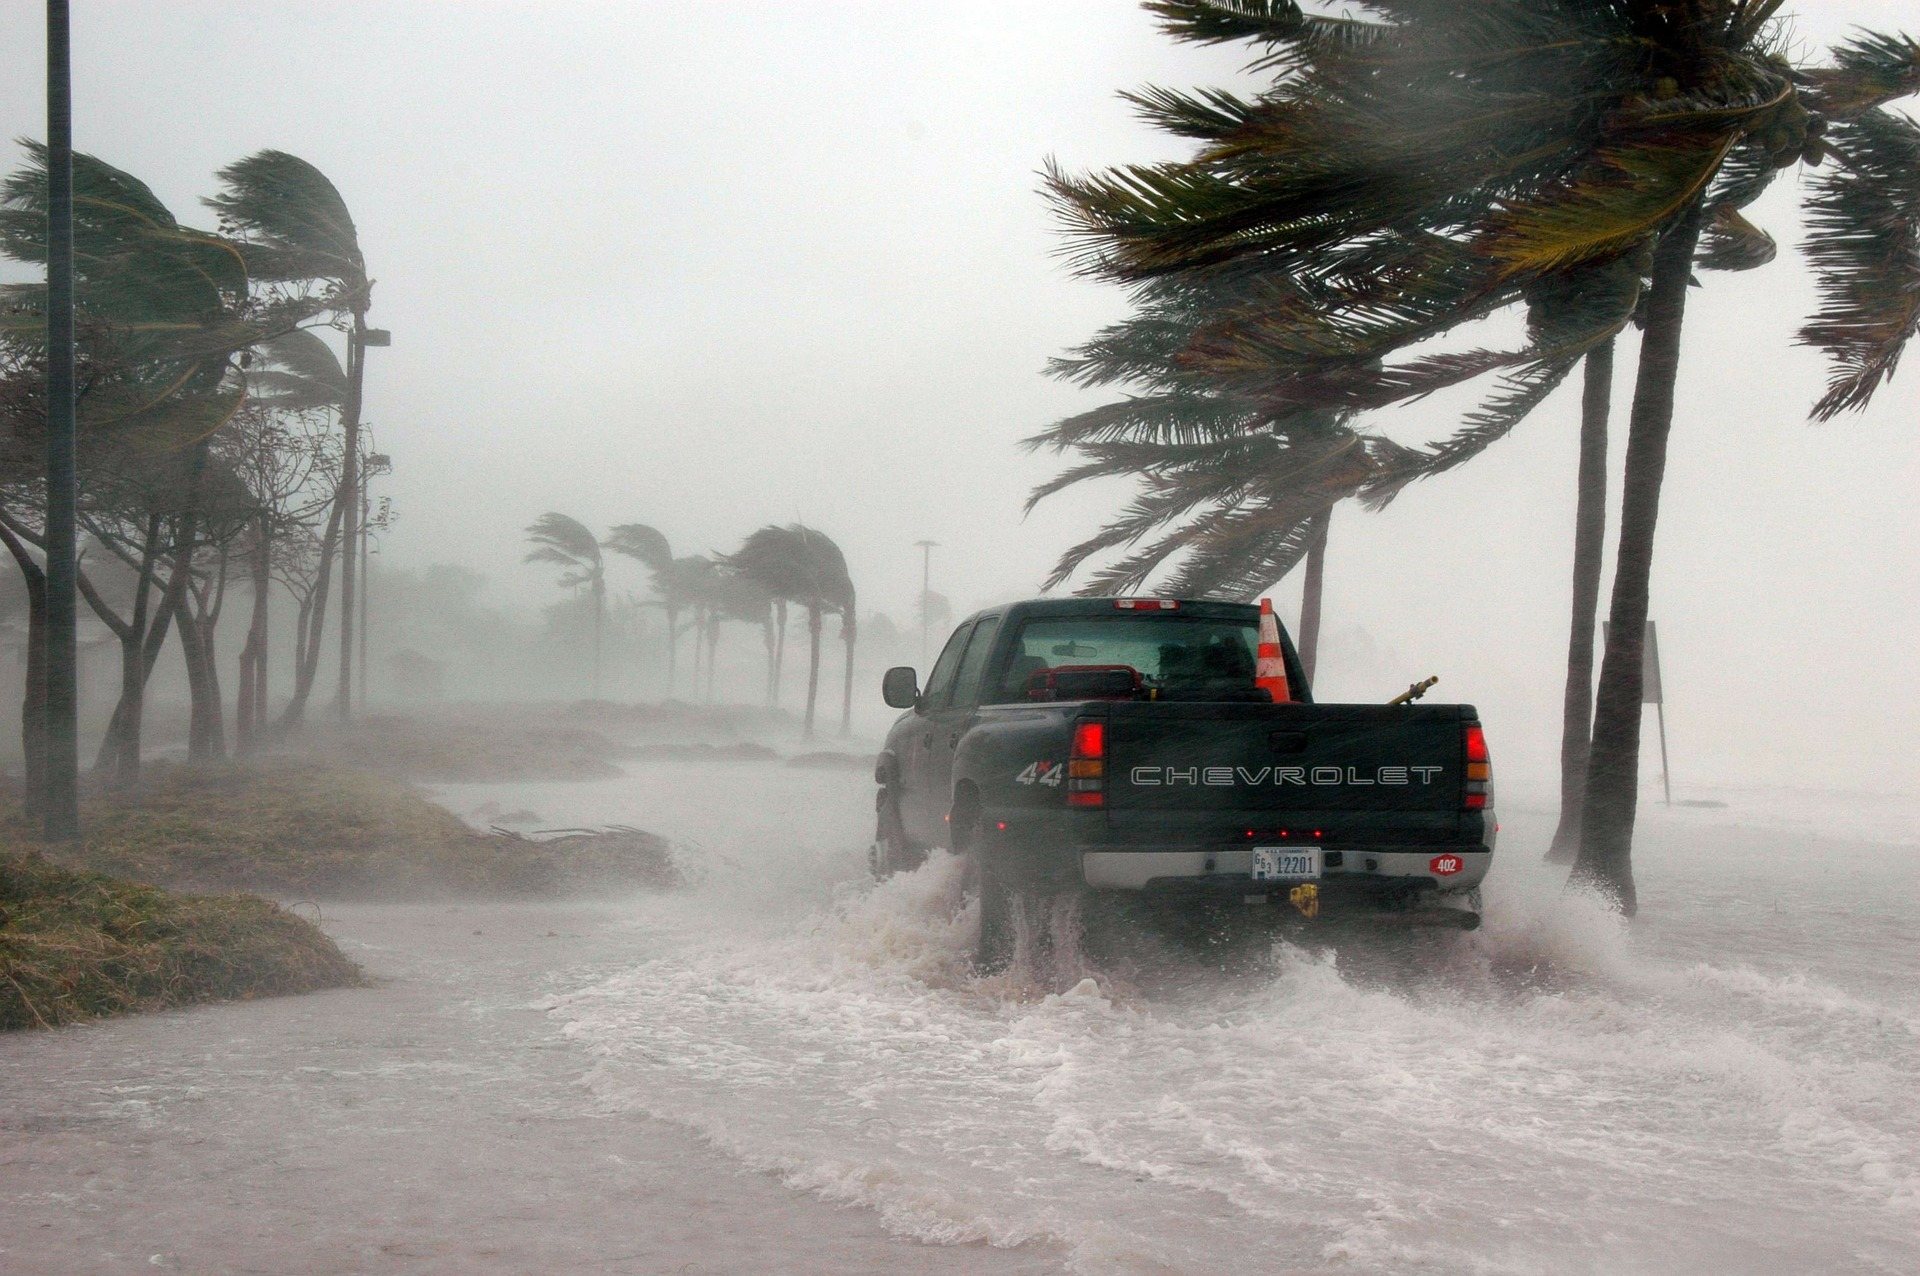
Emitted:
<point x="1589" y="548"/>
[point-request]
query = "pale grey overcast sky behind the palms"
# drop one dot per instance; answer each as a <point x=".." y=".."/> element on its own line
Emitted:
<point x="711" y="266"/>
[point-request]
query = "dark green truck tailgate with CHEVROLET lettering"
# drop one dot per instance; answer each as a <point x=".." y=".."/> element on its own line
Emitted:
<point x="1364" y="767"/>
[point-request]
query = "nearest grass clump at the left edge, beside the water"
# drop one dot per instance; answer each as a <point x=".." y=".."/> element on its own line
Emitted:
<point x="78" y="945"/>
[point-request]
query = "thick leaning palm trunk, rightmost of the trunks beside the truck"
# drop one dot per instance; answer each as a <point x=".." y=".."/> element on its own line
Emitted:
<point x="1614" y="767"/>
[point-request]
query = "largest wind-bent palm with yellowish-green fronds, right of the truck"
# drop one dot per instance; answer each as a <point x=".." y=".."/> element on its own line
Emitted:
<point x="1554" y="137"/>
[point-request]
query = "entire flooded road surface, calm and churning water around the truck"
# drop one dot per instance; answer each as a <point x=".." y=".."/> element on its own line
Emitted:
<point x="788" y="1068"/>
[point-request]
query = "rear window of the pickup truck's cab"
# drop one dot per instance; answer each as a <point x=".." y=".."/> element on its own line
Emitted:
<point x="1174" y="655"/>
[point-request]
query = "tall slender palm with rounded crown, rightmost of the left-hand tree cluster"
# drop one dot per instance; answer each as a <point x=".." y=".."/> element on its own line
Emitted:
<point x="297" y="229"/>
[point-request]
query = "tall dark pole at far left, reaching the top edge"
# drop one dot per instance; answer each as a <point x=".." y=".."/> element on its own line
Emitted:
<point x="62" y="778"/>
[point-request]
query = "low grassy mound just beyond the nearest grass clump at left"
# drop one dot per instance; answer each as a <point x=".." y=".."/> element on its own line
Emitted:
<point x="302" y="830"/>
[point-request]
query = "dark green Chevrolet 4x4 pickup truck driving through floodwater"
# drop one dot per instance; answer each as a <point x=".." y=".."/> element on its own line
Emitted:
<point x="1128" y="745"/>
